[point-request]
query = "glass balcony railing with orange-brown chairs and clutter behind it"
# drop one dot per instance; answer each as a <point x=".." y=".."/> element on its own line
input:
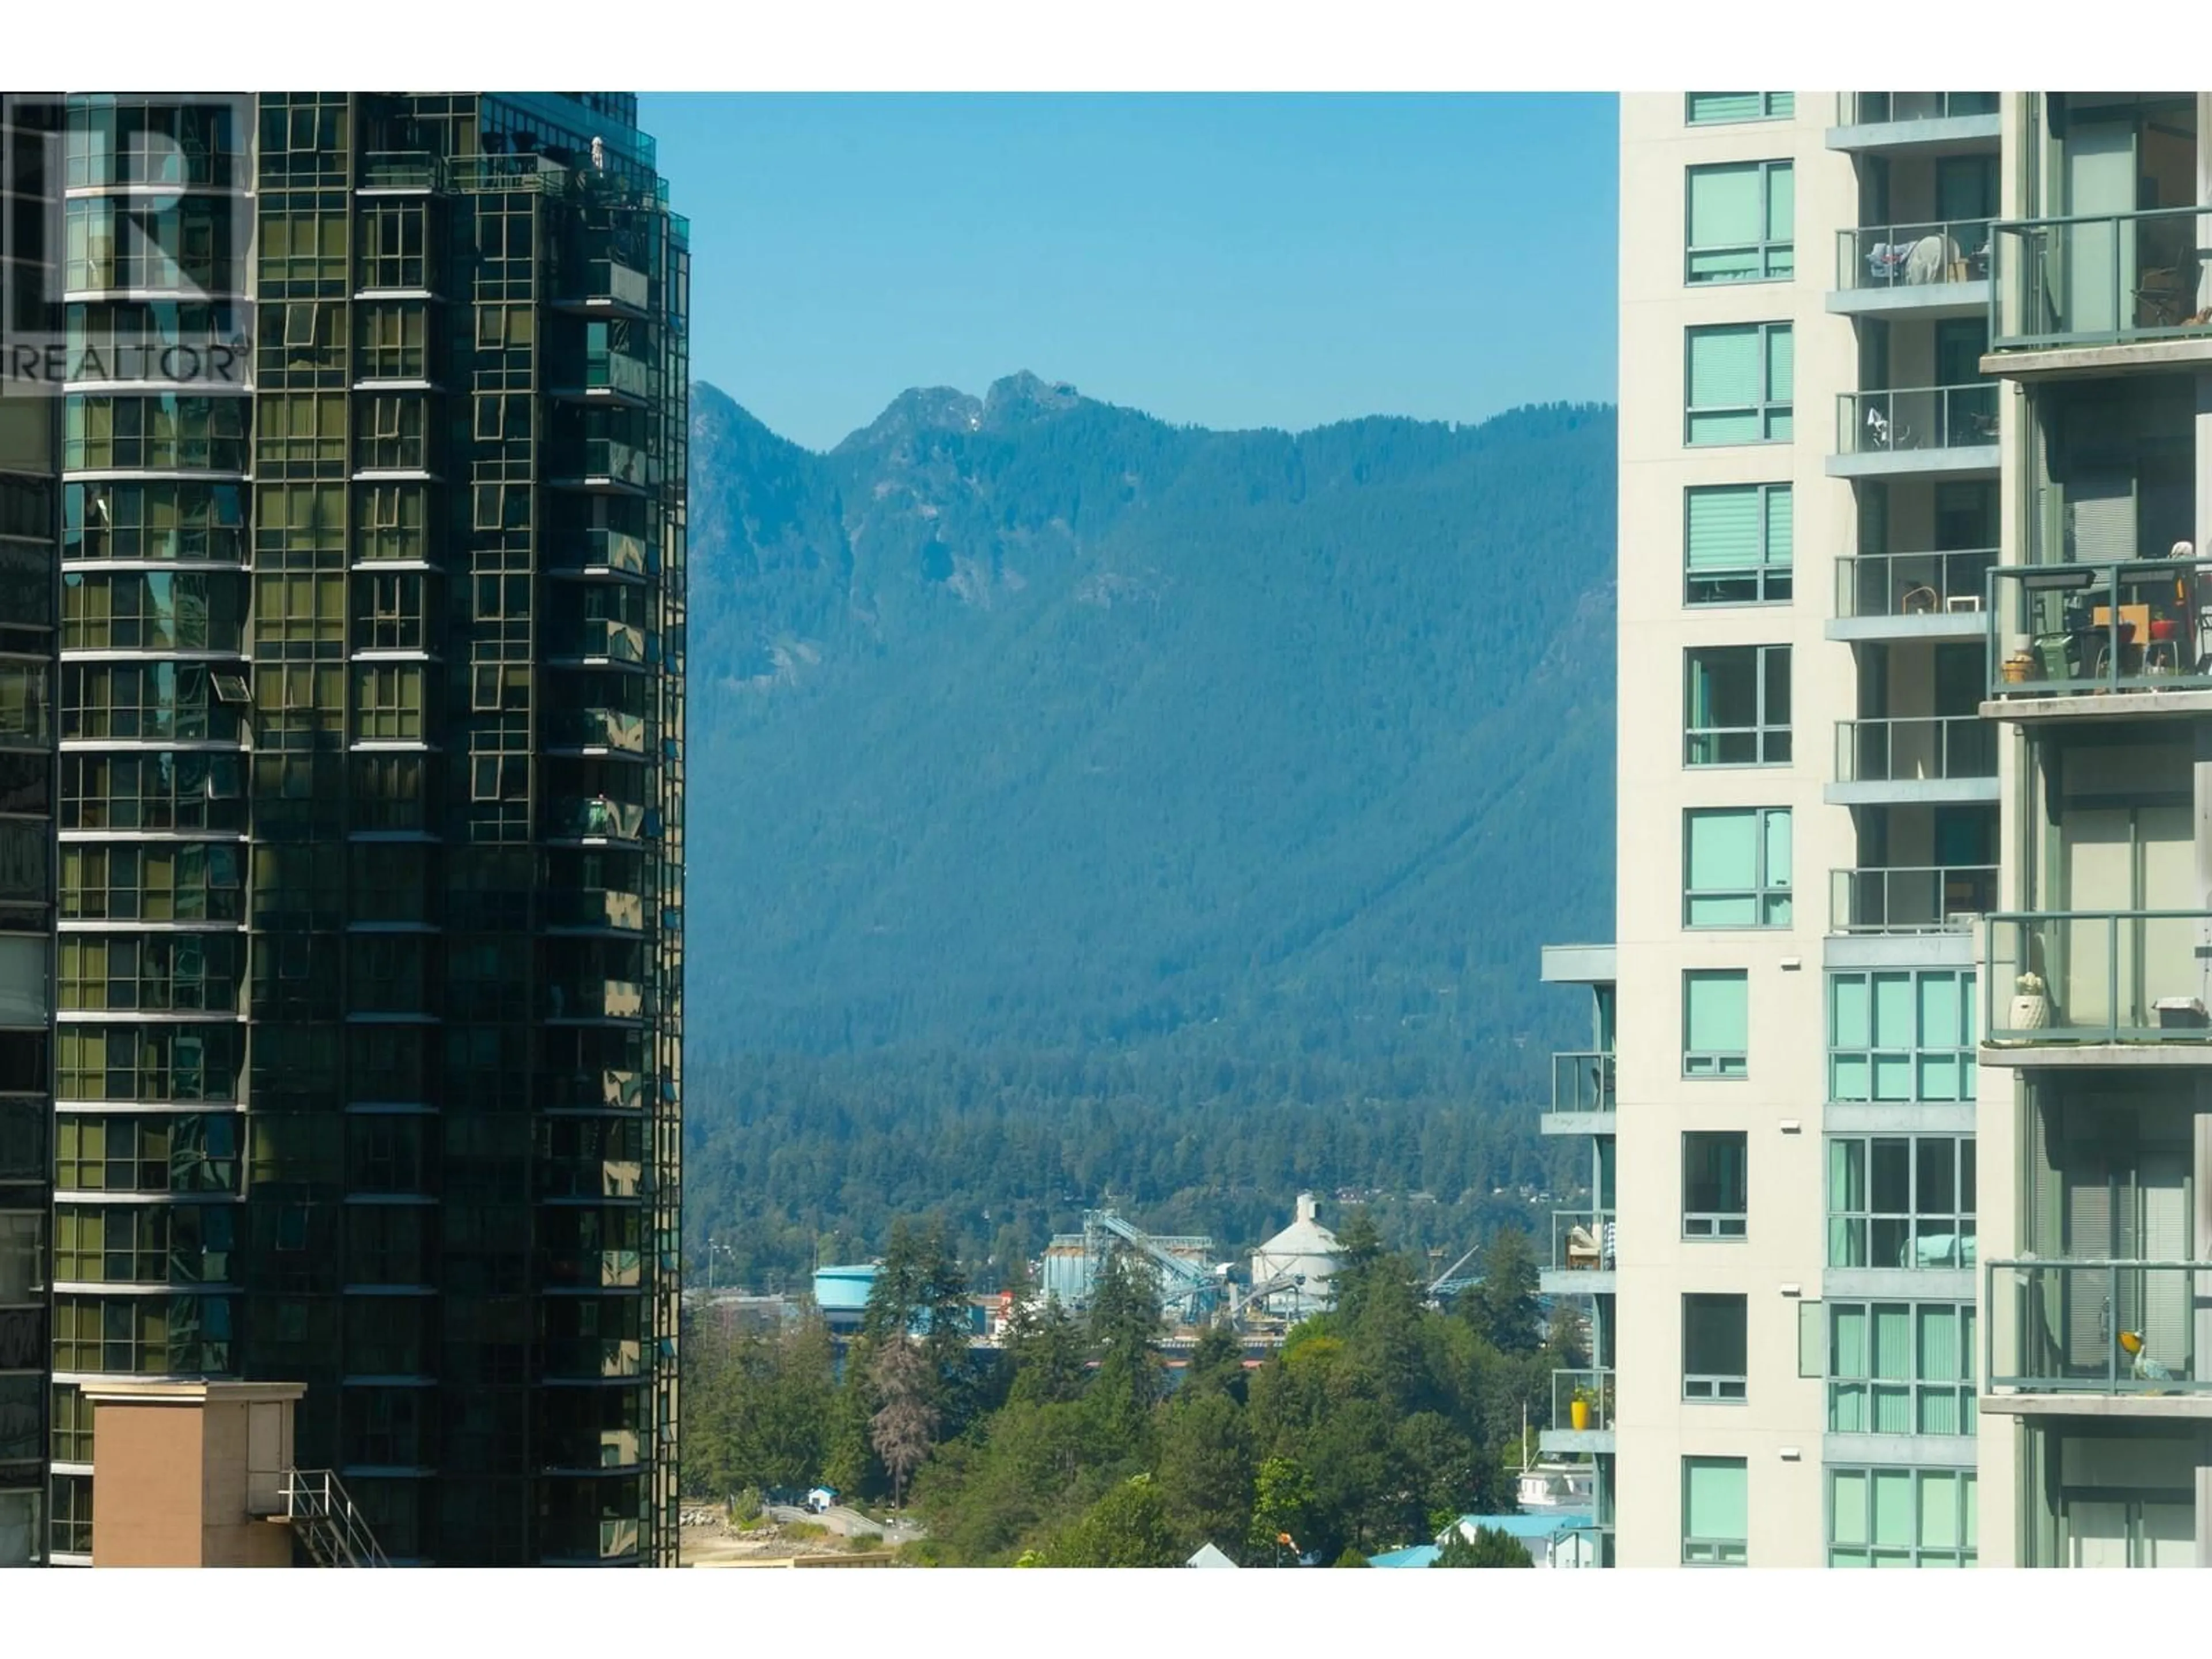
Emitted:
<point x="2100" y="627"/>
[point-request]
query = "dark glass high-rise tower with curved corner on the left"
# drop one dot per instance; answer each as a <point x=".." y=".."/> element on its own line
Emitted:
<point x="368" y="800"/>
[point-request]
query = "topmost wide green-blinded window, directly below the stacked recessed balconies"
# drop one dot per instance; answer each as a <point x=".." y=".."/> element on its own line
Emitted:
<point x="1908" y="1034"/>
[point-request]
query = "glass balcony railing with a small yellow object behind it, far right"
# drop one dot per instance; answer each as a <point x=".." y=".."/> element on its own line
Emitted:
<point x="2096" y="1326"/>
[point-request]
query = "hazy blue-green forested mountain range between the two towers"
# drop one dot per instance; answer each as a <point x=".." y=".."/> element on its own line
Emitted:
<point x="1036" y="729"/>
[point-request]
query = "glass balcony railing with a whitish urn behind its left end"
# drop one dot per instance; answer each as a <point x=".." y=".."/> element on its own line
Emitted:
<point x="2098" y="977"/>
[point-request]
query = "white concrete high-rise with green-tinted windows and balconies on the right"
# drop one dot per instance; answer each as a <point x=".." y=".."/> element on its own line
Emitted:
<point x="1899" y="1100"/>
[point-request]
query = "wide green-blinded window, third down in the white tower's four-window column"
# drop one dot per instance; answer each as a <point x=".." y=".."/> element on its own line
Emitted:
<point x="1901" y="1368"/>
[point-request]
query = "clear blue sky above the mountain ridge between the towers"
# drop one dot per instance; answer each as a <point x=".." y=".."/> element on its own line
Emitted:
<point x="1227" y="262"/>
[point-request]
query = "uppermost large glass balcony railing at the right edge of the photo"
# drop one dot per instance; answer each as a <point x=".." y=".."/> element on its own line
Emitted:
<point x="2100" y="280"/>
